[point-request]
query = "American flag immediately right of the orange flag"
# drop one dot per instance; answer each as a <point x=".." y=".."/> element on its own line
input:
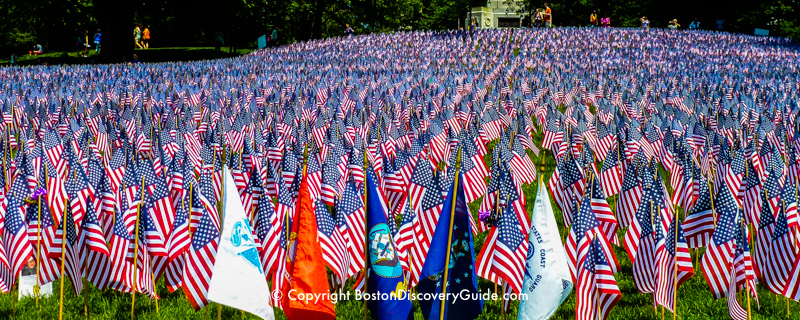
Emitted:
<point x="334" y="246"/>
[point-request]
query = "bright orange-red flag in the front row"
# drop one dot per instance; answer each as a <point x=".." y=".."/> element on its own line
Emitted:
<point x="305" y="264"/>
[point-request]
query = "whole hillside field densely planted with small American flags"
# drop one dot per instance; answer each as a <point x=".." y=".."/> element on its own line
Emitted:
<point x="567" y="164"/>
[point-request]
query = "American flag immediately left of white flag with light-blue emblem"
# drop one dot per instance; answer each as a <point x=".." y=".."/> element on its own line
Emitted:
<point x="200" y="259"/>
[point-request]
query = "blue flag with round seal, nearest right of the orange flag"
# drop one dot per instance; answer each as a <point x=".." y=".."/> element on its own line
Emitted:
<point x="385" y="284"/>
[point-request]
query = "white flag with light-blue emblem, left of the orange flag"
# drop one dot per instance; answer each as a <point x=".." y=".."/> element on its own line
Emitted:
<point x="237" y="280"/>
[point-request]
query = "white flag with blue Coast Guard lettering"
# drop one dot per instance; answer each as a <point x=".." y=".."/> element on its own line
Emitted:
<point x="547" y="280"/>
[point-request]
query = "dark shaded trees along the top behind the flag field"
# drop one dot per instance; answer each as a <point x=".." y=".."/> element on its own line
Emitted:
<point x="56" y="24"/>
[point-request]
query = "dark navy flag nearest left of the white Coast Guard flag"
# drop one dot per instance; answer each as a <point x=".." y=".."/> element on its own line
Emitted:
<point x="463" y="300"/>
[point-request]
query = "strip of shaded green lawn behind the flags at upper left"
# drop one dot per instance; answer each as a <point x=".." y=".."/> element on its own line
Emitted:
<point x="149" y="55"/>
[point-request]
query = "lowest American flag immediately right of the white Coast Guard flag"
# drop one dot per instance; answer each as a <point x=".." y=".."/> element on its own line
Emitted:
<point x="597" y="291"/>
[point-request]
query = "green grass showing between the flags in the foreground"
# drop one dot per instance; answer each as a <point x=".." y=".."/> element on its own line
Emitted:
<point x="694" y="298"/>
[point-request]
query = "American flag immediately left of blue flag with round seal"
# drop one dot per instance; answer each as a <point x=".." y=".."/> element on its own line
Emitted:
<point x="351" y="207"/>
